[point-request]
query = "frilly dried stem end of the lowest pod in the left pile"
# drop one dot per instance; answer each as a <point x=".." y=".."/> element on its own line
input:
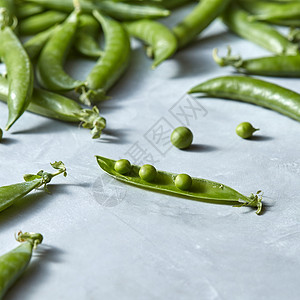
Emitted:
<point x="91" y="119"/>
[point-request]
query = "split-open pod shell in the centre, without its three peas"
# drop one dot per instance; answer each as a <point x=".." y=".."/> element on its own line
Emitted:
<point x="201" y="189"/>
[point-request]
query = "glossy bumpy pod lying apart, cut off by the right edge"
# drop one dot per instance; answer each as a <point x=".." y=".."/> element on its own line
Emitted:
<point x="252" y="90"/>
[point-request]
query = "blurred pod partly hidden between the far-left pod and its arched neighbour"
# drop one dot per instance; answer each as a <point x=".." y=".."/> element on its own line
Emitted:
<point x="35" y="45"/>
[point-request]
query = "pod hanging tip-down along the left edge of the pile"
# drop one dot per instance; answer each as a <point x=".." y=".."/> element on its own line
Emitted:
<point x="19" y="70"/>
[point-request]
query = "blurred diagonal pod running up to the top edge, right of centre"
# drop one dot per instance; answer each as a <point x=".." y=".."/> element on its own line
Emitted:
<point x="200" y="17"/>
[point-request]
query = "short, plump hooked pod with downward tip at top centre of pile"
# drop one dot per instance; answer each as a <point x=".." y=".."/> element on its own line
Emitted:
<point x="161" y="41"/>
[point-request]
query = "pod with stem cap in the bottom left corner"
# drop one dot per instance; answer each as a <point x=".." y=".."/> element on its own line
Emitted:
<point x="14" y="263"/>
